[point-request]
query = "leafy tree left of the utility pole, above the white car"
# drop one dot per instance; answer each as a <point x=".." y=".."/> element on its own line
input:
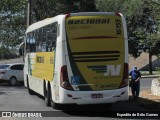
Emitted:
<point x="12" y="20"/>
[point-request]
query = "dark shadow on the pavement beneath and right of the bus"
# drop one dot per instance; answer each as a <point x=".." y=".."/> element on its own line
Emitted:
<point x="141" y="106"/>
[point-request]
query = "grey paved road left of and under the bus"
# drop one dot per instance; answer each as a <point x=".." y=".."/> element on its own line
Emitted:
<point x="17" y="99"/>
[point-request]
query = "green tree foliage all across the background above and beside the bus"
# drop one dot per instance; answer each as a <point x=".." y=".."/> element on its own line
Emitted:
<point x="137" y="12"/>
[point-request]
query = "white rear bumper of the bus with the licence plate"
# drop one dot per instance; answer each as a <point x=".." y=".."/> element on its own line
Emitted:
<point x="94" y="97"/>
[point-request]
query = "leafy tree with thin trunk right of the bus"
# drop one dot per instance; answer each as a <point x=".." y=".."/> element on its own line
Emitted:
<point x="145" y="29"/>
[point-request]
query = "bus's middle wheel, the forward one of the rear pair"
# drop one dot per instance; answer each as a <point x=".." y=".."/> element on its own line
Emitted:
<point x="47" y="96"/>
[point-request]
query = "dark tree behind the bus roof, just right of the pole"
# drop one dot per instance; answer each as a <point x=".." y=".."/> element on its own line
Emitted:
<point x="42" y="9"/>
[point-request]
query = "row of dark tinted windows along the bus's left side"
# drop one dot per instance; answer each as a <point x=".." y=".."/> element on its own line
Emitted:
<point x="43" y="39"/>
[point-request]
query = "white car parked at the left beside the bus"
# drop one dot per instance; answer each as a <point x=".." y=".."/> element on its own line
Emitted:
<point x="11" y="73"/>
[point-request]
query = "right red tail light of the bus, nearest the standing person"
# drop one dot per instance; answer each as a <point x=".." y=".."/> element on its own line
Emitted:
<point x="125" y="76"/>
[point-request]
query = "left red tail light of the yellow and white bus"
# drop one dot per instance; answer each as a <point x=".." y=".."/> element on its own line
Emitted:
<point x="64" y="81"/>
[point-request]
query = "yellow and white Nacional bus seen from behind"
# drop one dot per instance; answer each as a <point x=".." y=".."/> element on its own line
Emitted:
<point x="78" y="58"/>
